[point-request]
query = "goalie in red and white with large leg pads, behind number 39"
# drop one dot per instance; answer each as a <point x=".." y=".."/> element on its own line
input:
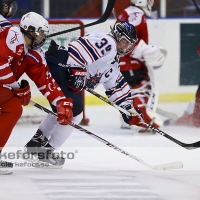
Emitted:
<point x="137" y="66"/>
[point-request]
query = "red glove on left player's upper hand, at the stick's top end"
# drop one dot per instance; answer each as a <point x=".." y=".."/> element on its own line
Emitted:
<point x="24" y="92"/>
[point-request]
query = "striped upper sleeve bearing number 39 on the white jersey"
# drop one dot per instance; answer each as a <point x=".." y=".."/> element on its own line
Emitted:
<point x="88" y="49"/>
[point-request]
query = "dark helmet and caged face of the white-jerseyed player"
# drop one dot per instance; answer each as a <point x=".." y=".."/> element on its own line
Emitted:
<point x="124" y="31"/>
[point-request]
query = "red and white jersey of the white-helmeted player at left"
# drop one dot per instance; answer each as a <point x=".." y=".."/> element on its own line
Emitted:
<point x="16" y="59"/>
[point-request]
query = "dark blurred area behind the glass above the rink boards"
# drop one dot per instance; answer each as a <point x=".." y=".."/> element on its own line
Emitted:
<point x="94" y="8"/>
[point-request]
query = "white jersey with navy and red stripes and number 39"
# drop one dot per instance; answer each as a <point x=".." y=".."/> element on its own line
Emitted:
<point x="98" y="53"/>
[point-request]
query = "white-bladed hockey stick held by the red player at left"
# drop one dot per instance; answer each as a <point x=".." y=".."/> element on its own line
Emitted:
<point x="174" y="165"/>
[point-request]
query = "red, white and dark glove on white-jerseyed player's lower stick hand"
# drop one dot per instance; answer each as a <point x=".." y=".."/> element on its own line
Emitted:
<point x="136" y="117"/>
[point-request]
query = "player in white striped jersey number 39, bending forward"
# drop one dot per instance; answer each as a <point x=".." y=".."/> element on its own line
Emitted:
<point x="91" y="60"/>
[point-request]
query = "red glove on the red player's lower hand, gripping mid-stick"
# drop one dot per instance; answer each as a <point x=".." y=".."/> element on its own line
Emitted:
<point x="64" y="111"/>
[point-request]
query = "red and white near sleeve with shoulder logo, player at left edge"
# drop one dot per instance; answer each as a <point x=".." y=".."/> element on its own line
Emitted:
<point x="12" y="54"/>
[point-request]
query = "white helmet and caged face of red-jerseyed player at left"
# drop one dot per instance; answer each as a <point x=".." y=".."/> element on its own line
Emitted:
<point x="34" y="23"/>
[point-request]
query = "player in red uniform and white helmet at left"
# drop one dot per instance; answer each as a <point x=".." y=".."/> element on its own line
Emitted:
<point x="21" y="53"/>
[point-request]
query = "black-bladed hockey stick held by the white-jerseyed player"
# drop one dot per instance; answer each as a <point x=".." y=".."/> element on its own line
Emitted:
<point x="184" y="145"/>
